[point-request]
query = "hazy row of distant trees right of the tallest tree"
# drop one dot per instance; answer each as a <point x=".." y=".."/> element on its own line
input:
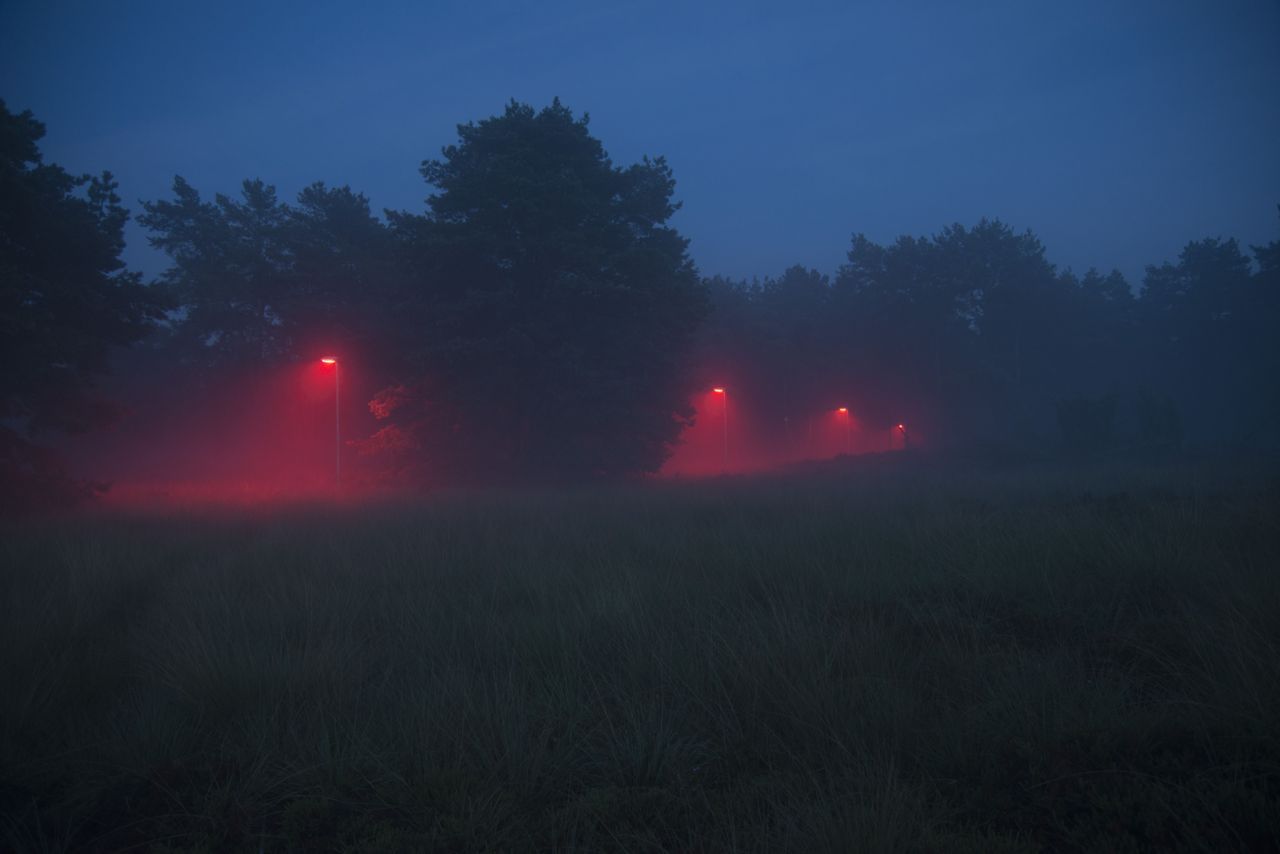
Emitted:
<point x="975" y="339"/>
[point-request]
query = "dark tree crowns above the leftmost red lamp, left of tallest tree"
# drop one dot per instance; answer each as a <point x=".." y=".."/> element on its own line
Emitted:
<point x="262" y="282"/>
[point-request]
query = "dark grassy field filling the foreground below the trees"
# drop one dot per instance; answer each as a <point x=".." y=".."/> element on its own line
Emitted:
<point x="877" y="659"/>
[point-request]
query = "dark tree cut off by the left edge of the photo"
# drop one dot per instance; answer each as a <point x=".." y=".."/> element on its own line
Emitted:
<point x="67" y="302"/>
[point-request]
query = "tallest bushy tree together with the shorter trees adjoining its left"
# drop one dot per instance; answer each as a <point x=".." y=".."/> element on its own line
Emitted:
<point x="536" y="322"/>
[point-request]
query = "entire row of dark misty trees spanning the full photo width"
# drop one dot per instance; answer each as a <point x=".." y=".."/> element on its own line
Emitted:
<point x="542" y="319"/>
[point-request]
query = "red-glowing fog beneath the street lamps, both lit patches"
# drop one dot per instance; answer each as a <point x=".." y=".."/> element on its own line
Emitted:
<point x="275" y="439"/>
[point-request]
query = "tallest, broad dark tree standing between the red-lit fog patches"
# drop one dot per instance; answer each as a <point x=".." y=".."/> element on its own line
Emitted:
<point x="548" y="323"/>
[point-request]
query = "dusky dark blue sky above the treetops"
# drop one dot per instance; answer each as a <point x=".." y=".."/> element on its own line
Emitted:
<point x="1116" y="131"/>
